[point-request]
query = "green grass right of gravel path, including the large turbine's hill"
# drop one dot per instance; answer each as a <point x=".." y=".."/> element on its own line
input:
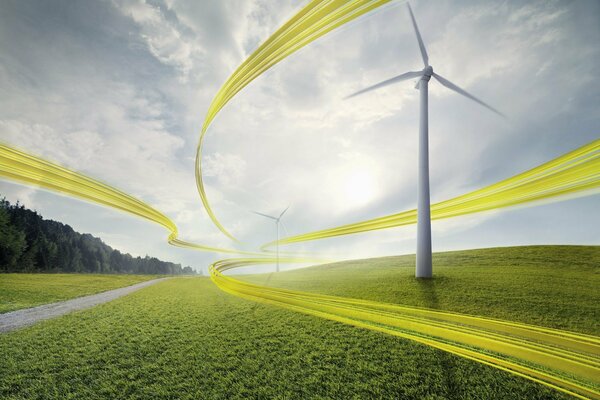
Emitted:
<point x="183" y="338"/>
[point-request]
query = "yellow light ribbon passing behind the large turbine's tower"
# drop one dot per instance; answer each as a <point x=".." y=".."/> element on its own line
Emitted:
<point x="576" y="171"/>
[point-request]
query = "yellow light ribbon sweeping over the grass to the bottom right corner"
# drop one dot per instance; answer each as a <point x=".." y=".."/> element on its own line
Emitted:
<point x="566" y="361"/>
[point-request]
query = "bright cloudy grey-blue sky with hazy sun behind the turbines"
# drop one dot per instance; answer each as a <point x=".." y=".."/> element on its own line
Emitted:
<point x="119" y="89"/>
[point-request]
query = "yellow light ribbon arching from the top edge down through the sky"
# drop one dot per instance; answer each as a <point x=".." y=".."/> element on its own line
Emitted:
<point x="316" y="19"/>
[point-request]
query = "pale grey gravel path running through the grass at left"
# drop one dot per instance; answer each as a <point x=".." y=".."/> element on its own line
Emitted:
<point x="29" y="316"/>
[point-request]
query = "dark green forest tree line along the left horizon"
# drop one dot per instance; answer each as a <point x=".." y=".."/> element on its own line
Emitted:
<point x="30" y="243"/>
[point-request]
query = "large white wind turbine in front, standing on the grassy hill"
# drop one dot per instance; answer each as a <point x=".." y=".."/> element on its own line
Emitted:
<point x="424" y="267"/>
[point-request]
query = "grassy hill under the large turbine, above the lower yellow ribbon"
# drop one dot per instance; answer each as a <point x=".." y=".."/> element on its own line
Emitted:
<point x="554" y="286"/>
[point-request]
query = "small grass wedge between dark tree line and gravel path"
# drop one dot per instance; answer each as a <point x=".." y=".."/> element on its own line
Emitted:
<point x="29" y="290"/>
